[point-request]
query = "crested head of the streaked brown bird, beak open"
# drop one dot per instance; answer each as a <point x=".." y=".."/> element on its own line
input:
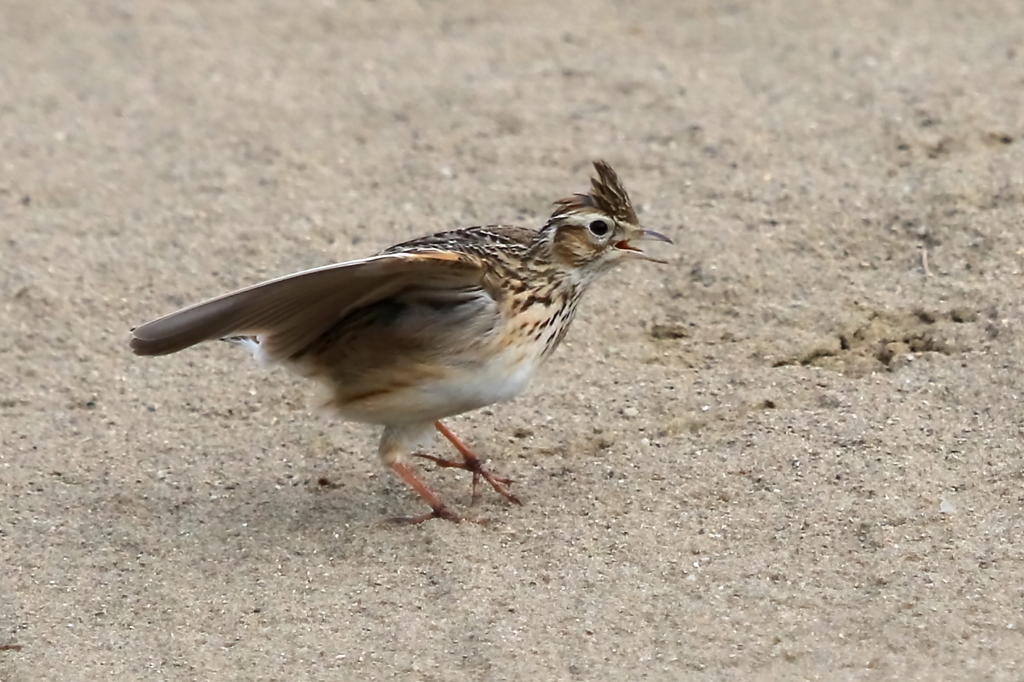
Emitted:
<point x="591" y="233"/>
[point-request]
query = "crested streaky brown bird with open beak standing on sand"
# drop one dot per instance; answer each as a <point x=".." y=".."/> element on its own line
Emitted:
<point x="428" y="329"/>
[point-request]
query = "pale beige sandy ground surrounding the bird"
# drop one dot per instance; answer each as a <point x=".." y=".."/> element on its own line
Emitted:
<point x="794" y="453"/>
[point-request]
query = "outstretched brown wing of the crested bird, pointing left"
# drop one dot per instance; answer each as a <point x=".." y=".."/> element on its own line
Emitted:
<point x="291" y="312"/>
